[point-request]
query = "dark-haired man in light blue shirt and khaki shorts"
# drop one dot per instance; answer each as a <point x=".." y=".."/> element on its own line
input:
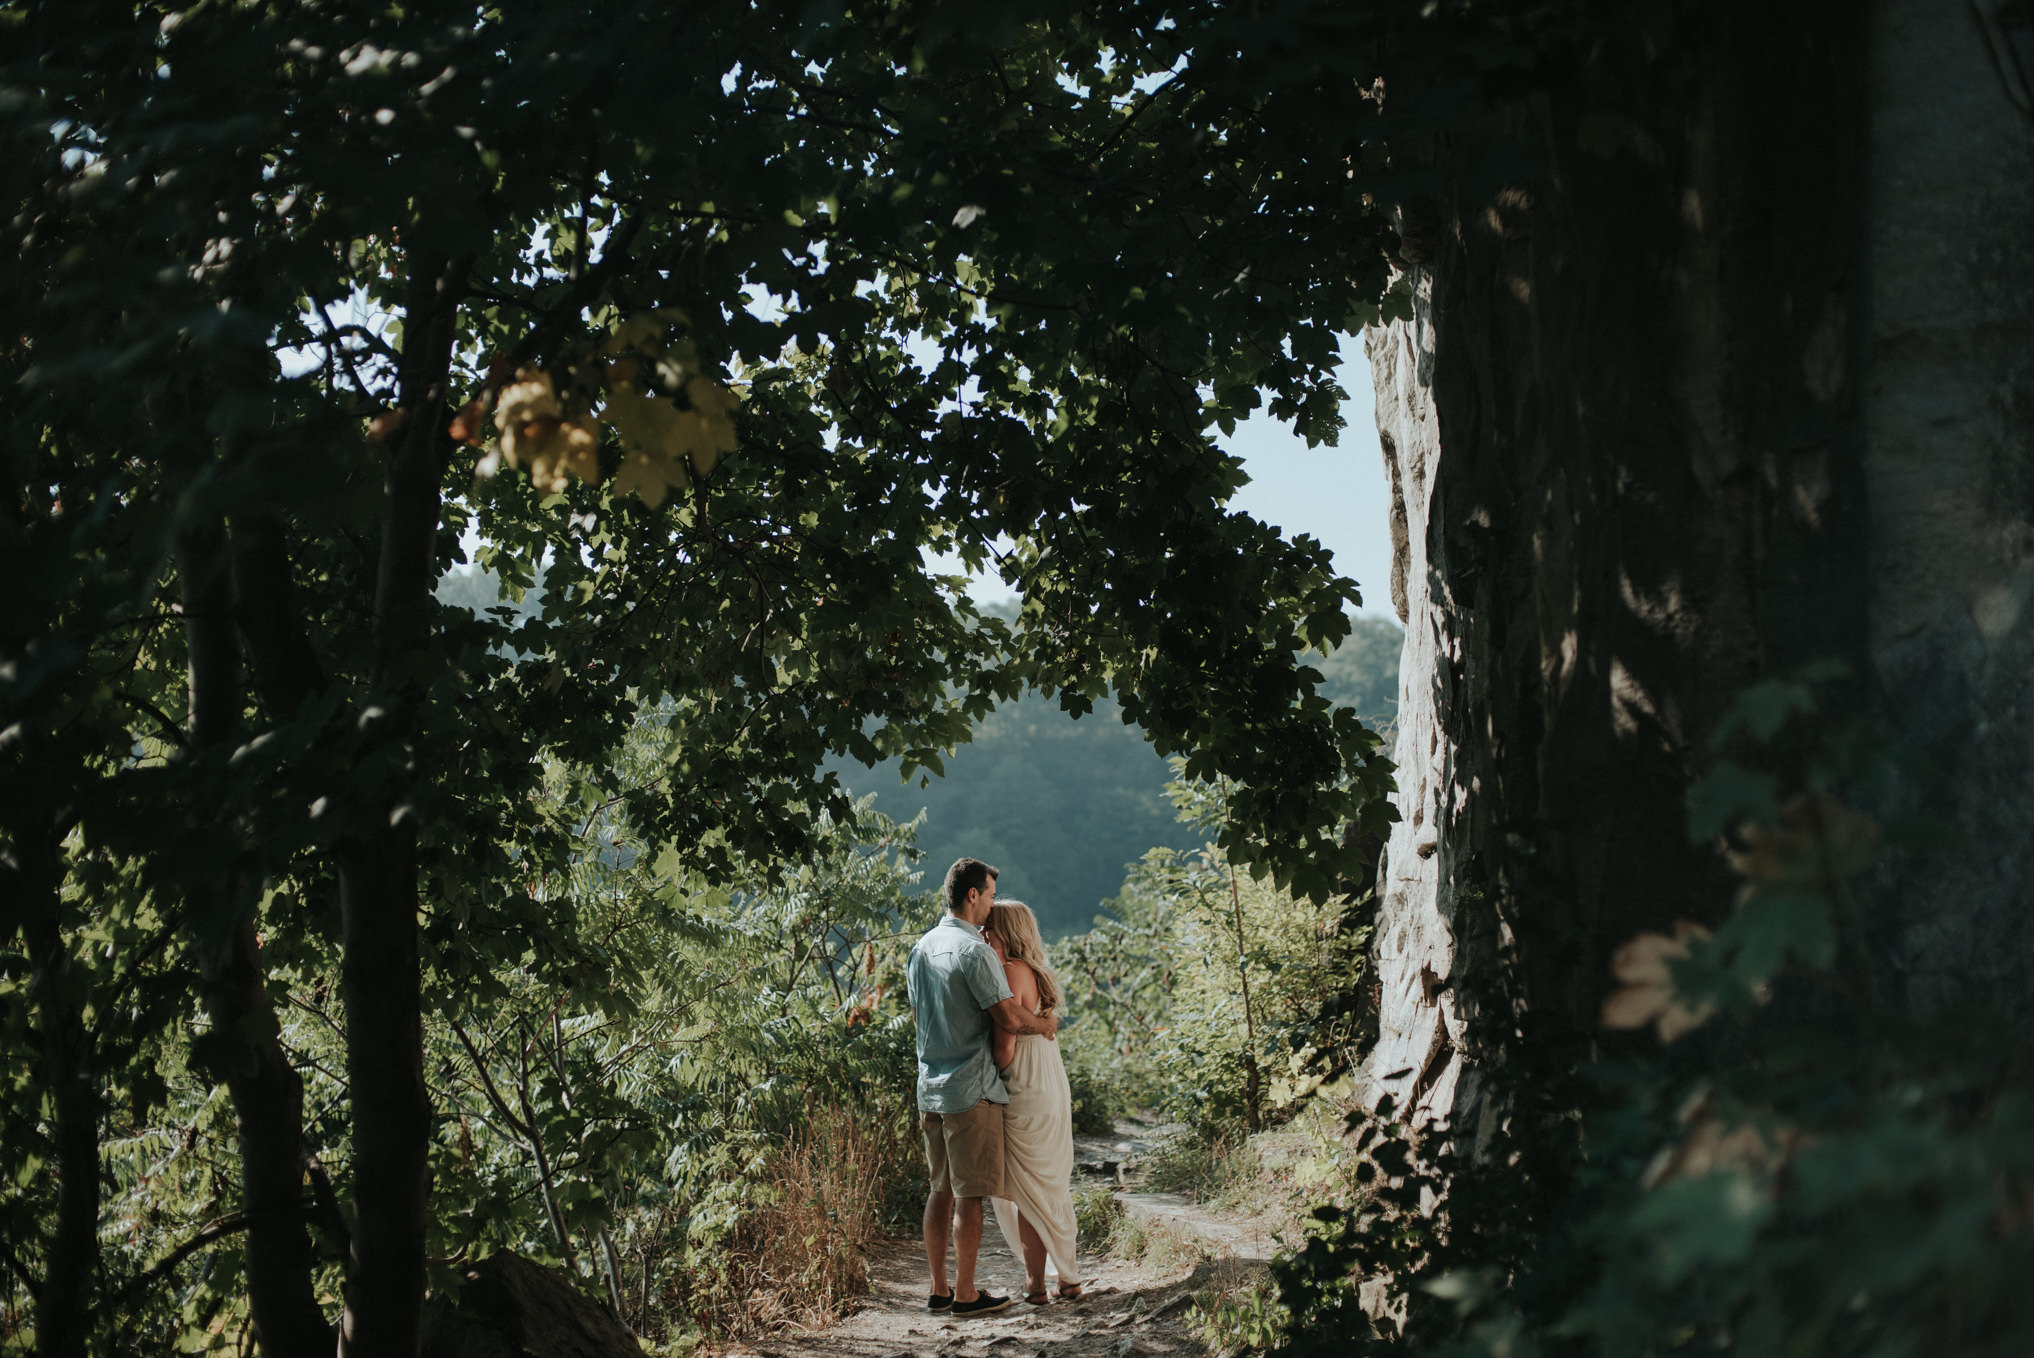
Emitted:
<point x="957" y="993"/>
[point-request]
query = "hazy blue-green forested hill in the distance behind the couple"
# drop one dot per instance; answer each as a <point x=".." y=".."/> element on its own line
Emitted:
<point x="1059" y="804"/>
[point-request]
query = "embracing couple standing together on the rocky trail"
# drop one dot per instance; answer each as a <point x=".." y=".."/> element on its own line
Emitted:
<point x="992" y="1093"/>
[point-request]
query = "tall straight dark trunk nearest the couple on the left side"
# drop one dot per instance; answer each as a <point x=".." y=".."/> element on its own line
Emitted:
<point x="379" y="900"/>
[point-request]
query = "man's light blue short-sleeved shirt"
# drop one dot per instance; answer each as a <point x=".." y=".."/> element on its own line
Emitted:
<point x="953" y="981"/>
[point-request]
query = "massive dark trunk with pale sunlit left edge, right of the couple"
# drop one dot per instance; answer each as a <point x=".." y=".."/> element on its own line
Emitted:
<point x="1634" y="489"/>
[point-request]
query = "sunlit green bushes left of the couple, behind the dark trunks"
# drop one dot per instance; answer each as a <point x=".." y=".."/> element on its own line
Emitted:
<point x="650" y="1127"/>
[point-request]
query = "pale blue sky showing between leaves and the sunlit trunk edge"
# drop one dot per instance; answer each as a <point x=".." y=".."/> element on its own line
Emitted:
<point x="1335" y="495"/>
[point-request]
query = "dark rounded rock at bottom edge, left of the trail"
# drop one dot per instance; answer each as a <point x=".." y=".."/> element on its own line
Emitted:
<point x="512" y="1308"/>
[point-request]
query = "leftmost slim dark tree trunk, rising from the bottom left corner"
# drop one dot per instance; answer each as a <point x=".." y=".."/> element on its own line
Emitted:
<point x="64" y="1304"/>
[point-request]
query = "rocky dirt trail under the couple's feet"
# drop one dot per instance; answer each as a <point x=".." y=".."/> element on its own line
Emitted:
<point x="1130" y="1308"/>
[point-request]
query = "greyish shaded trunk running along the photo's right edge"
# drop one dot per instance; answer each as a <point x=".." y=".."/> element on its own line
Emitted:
<point x="1950" y="420"/>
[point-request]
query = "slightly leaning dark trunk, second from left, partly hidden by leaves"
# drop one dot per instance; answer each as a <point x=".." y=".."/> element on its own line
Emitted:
<point x="265" y="1089"/>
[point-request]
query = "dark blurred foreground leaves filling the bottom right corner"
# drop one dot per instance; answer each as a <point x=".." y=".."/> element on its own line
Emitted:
<point x="1799" y="1164"/>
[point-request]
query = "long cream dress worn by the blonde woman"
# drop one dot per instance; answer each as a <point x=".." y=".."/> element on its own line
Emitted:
<point x="1038" y="1154"/>
